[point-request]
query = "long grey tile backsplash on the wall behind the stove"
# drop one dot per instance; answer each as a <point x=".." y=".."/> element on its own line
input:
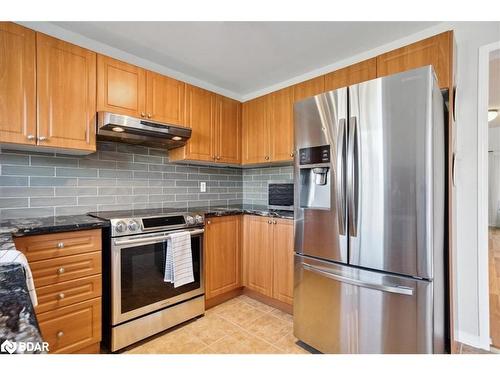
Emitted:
<point x="117" y="176"/>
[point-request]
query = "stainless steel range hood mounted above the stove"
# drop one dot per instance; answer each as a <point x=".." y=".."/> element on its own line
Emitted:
<point x="120" y="128"/>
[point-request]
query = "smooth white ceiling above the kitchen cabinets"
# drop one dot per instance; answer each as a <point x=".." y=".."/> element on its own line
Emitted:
<point x="244" y="57"/>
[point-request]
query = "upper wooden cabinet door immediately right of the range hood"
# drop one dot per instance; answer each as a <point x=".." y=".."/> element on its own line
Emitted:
<point x="200" y="117"/>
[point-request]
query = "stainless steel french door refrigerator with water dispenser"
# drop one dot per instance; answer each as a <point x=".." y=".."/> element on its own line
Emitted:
<point x="369" y="217"/>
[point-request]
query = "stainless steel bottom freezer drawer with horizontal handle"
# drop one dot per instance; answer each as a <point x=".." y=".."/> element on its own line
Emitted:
<point x="341" y="309"/>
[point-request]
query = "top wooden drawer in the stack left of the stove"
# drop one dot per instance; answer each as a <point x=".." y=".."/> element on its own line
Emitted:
<point x="48" y="246"/>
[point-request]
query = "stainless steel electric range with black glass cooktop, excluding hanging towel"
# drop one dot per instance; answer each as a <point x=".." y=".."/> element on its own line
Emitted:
<point x="137" y="302"/>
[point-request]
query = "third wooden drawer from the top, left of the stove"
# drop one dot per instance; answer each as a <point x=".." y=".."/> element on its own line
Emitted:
<point x="58" y="295"/>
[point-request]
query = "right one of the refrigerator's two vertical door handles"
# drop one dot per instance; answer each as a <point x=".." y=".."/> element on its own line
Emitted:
<point x="352" y="179"/>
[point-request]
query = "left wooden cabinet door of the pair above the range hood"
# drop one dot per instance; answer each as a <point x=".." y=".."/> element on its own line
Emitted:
<point x="121" y="87"/>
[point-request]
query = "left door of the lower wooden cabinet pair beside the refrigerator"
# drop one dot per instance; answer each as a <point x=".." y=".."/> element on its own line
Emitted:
<point x="258" y="253"/>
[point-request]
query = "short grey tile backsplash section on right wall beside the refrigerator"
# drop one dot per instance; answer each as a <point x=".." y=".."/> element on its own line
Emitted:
<point x="255" y="182"/>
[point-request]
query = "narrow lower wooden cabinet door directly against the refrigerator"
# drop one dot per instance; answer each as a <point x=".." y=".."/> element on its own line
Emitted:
<point x="283" y="260"/>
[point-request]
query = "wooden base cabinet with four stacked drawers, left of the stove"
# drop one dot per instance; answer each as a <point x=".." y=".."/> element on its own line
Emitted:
<point x="66" y="271"/>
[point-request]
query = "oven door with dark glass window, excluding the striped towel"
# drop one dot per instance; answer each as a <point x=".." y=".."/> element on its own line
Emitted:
<point x="137" y="273"/>
